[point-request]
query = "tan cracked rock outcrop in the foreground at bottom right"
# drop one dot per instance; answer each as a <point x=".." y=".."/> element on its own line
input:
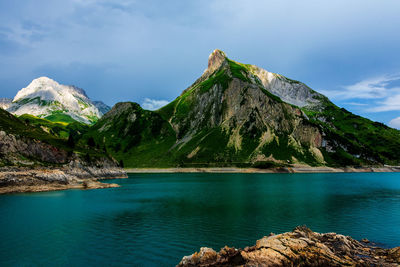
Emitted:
<point x="302" y="247"/>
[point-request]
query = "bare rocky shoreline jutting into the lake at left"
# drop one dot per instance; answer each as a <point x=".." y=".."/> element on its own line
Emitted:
<point x="72" y="176"/>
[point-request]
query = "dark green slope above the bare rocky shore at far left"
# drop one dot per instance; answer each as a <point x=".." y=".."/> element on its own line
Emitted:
<point x="31" y="141"/>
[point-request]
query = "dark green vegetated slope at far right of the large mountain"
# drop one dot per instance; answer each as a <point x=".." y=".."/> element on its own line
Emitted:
<point x="359" y="141"/>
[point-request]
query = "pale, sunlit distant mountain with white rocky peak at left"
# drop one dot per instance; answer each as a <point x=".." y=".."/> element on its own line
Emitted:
<point x="45" y="98"/>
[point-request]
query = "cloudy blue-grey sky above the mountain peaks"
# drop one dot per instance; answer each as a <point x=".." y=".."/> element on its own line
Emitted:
<point x="150" y="51"/>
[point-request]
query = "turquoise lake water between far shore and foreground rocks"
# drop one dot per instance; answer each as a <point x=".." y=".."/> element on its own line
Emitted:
<point x="155" y="219"/>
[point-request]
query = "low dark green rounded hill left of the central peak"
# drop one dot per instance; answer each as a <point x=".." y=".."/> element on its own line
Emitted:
<point x="143" y="141"/>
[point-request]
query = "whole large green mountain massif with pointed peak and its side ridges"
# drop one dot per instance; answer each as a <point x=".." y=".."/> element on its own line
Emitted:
<point x="241" y="115"/>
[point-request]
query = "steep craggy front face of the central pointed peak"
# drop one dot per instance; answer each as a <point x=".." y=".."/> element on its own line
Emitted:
<point x="229" y="106"/>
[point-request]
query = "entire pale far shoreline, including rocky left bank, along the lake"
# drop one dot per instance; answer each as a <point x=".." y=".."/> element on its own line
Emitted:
<point x="55" y="179"/>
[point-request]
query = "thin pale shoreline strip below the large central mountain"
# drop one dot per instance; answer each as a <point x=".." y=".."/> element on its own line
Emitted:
<point x="296" y="169"/>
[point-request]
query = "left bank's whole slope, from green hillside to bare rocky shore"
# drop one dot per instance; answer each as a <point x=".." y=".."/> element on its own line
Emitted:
<point x="33" y="160"/>
